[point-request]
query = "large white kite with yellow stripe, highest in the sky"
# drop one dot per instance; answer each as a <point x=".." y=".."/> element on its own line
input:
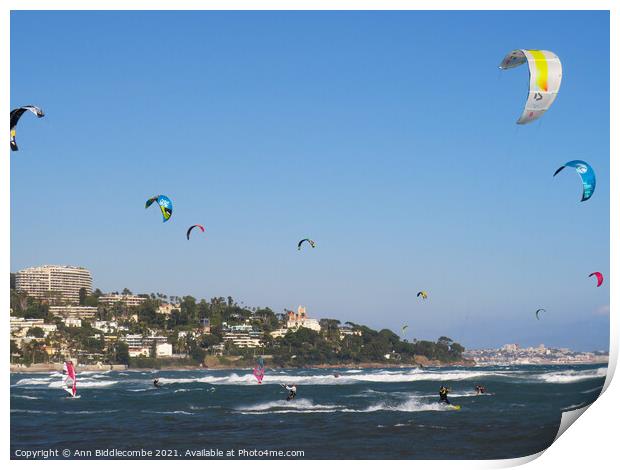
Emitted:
<point x="545" y="79"/>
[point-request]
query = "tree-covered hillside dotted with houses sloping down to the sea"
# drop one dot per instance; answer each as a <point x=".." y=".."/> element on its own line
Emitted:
<point x="157" y="330"/>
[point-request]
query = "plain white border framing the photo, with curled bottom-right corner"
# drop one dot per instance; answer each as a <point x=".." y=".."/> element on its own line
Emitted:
<point x="590" y="443"/>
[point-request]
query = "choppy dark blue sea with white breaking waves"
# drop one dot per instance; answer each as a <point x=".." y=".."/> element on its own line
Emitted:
<point x="362" y="414"/>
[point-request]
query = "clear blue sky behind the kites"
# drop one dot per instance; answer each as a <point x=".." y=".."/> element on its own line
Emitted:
<point x="387" y="137"/>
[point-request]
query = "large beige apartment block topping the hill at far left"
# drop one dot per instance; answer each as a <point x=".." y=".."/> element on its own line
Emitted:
<point x="51" y="280"/>
